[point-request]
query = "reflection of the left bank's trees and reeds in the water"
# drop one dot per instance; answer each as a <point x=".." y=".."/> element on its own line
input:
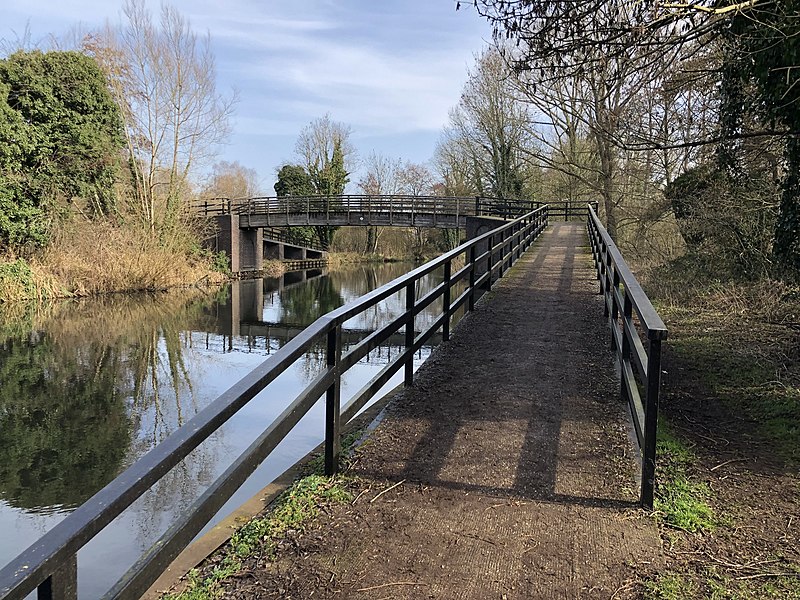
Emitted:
<point x="77" y="380"/>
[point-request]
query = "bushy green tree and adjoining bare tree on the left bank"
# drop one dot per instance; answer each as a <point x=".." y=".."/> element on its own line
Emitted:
<point x="113" y="130"/>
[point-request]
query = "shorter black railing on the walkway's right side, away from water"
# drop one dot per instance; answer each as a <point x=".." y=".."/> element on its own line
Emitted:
<point x="636" y="335"/>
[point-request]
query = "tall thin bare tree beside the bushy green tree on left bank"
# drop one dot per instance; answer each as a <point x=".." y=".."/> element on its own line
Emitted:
<point x="163" y="76"/>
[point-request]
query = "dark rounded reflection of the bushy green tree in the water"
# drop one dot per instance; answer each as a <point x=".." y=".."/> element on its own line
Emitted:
<point x="53" y="455"/>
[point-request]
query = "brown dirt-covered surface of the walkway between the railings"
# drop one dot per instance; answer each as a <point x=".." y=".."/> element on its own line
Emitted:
<point x="506" y="471"/>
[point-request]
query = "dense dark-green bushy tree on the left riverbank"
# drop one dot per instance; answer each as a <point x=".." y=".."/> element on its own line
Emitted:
<point x="60" y="139"/>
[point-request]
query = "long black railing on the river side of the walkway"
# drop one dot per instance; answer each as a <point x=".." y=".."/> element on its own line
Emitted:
<point x="50" y="564"/>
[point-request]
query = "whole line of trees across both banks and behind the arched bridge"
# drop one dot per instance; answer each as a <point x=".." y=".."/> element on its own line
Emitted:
<point x="679" y="118"/>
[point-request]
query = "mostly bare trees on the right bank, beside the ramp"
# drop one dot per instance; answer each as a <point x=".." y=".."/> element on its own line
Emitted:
<point x="681" y="112"/>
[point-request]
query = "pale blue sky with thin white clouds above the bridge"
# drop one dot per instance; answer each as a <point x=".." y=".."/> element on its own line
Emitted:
<point x="390" y="69"/>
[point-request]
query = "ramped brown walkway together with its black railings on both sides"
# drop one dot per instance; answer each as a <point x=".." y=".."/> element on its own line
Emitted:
<point x="502" y="465"/>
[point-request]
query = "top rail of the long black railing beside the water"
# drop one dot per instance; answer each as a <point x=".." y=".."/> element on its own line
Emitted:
<point x="66" y="538"/>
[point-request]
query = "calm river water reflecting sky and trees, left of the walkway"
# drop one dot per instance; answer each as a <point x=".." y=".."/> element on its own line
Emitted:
<point x="88" y="387"/>
